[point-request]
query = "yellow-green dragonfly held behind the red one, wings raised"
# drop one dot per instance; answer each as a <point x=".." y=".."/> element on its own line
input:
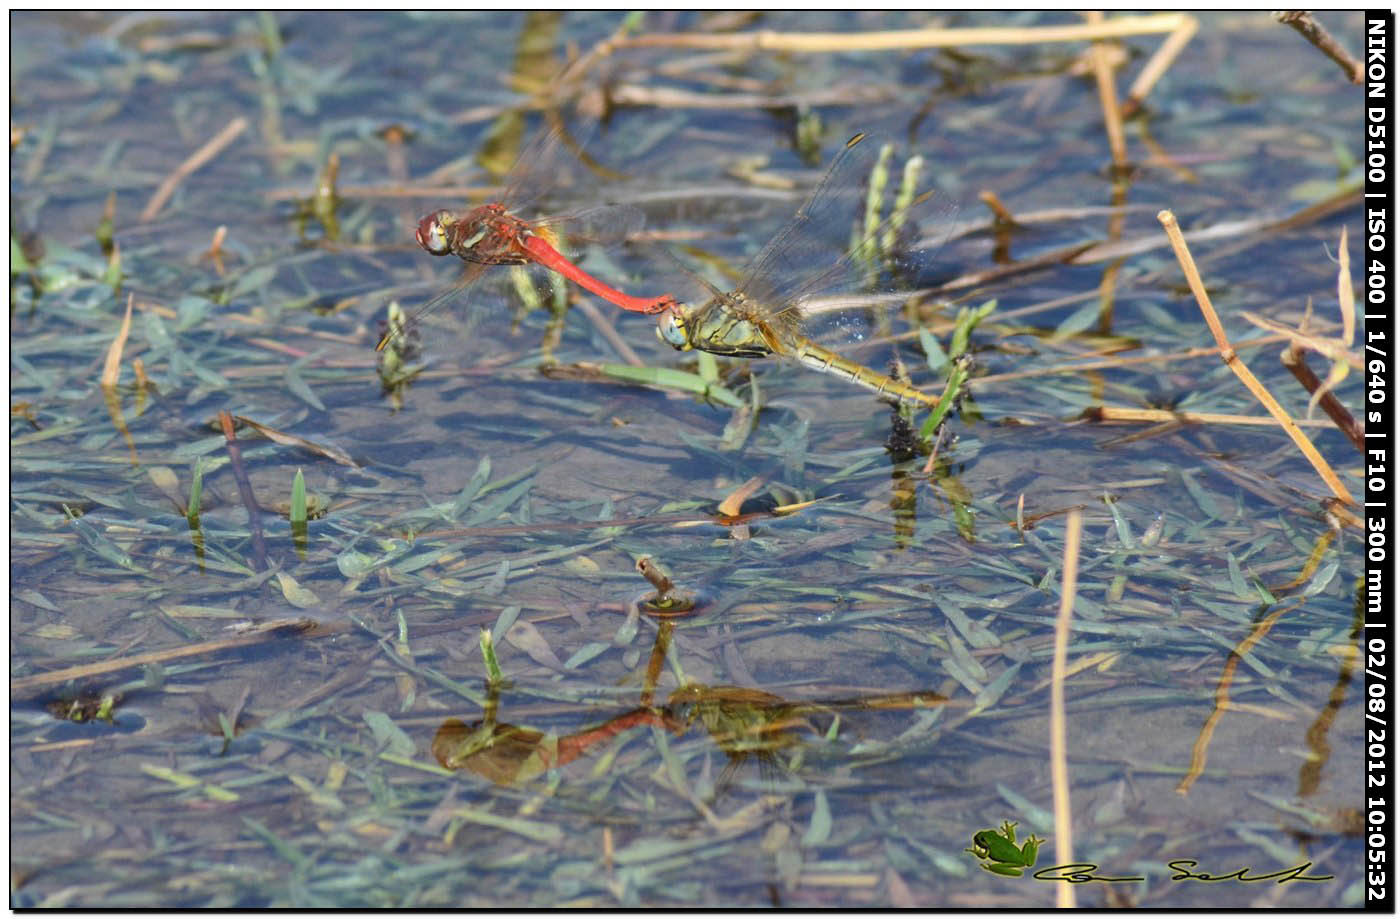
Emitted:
<point x="765" y="315"/>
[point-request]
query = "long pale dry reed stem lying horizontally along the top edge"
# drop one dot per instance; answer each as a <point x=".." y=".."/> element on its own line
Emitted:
<point x="905" y="40"/>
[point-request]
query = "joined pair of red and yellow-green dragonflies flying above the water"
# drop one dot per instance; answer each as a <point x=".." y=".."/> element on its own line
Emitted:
<point x="764" y="316"/>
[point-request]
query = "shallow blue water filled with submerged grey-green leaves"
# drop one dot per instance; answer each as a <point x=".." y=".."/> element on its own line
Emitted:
<point x="866" y="680"/>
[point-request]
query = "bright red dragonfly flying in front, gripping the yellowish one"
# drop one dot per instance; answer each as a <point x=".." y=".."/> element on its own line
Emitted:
<point x="493" y="235"/>
